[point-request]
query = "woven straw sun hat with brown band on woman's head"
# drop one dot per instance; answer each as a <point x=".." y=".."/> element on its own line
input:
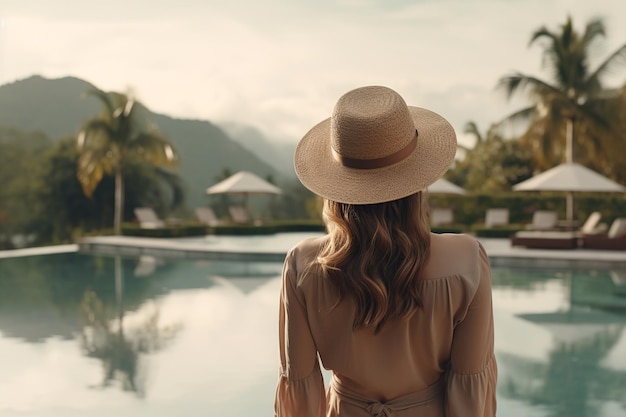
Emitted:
<point x="374" y="148"/>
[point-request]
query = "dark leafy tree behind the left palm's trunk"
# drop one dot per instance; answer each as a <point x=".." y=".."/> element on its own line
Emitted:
<point x="55" y="188"/>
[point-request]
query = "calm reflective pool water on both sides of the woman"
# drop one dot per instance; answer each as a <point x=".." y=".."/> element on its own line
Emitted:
<point x="101" y="336"/>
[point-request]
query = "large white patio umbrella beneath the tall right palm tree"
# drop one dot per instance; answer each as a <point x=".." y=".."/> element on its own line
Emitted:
<point x="570" y="178"/>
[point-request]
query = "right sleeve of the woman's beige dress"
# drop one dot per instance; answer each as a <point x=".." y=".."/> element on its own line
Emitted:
<point x="473" y="373"/>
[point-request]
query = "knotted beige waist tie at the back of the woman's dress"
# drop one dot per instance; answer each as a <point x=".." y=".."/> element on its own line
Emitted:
<point x="387" y="408"/>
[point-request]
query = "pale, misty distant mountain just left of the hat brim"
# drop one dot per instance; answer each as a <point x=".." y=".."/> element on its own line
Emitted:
<point x="279" y="155"/>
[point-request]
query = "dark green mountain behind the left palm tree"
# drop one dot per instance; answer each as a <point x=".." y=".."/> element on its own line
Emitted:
<point x="58" y="108"/>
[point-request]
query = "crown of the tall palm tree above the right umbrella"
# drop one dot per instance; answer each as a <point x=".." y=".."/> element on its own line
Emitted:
<point x="574" y="97"/>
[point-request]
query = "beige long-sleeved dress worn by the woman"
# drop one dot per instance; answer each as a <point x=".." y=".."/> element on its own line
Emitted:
<point x="439" y="362"/>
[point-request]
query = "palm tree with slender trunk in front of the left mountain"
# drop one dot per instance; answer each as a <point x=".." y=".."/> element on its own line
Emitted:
<point x="105" y="141"/>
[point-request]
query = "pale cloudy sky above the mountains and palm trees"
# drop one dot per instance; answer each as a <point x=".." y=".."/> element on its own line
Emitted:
<point x="280" y="65"/>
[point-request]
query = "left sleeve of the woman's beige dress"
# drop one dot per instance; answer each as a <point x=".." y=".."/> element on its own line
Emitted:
<point x="300" y="391"/>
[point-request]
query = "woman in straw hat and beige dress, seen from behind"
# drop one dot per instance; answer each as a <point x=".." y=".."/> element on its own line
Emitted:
<point x="402" y="317"/>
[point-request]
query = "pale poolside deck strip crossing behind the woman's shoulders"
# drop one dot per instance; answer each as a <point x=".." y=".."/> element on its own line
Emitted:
<point x="273" y="248"/>
